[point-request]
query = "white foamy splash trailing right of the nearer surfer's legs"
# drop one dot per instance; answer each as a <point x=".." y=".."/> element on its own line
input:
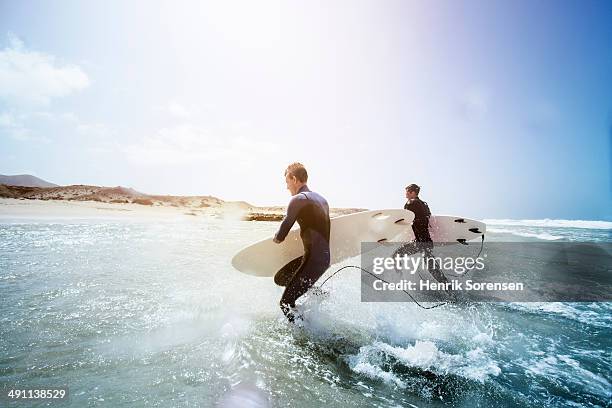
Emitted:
<point x="382" y="331"/>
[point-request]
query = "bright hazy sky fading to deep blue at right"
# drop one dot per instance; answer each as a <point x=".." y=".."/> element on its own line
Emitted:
<point x="498" y="109"/>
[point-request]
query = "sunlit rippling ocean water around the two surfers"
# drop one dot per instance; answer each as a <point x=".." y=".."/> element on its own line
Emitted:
<point x="138" y="313"/>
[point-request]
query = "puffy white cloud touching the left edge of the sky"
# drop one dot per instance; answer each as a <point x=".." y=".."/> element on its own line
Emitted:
<point x="32" y="78"/>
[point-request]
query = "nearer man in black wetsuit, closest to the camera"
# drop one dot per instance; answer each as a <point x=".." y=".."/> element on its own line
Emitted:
<point x="311" y="211"/>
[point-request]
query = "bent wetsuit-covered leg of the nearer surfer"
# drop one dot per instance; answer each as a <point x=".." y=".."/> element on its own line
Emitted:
<point x="309" y="272"/>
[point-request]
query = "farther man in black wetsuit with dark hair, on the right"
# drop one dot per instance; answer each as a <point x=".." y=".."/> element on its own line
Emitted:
<point x="420" y="227"/>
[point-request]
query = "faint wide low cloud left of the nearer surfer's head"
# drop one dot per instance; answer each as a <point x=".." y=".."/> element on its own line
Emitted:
<point x="187" y="143"/>
